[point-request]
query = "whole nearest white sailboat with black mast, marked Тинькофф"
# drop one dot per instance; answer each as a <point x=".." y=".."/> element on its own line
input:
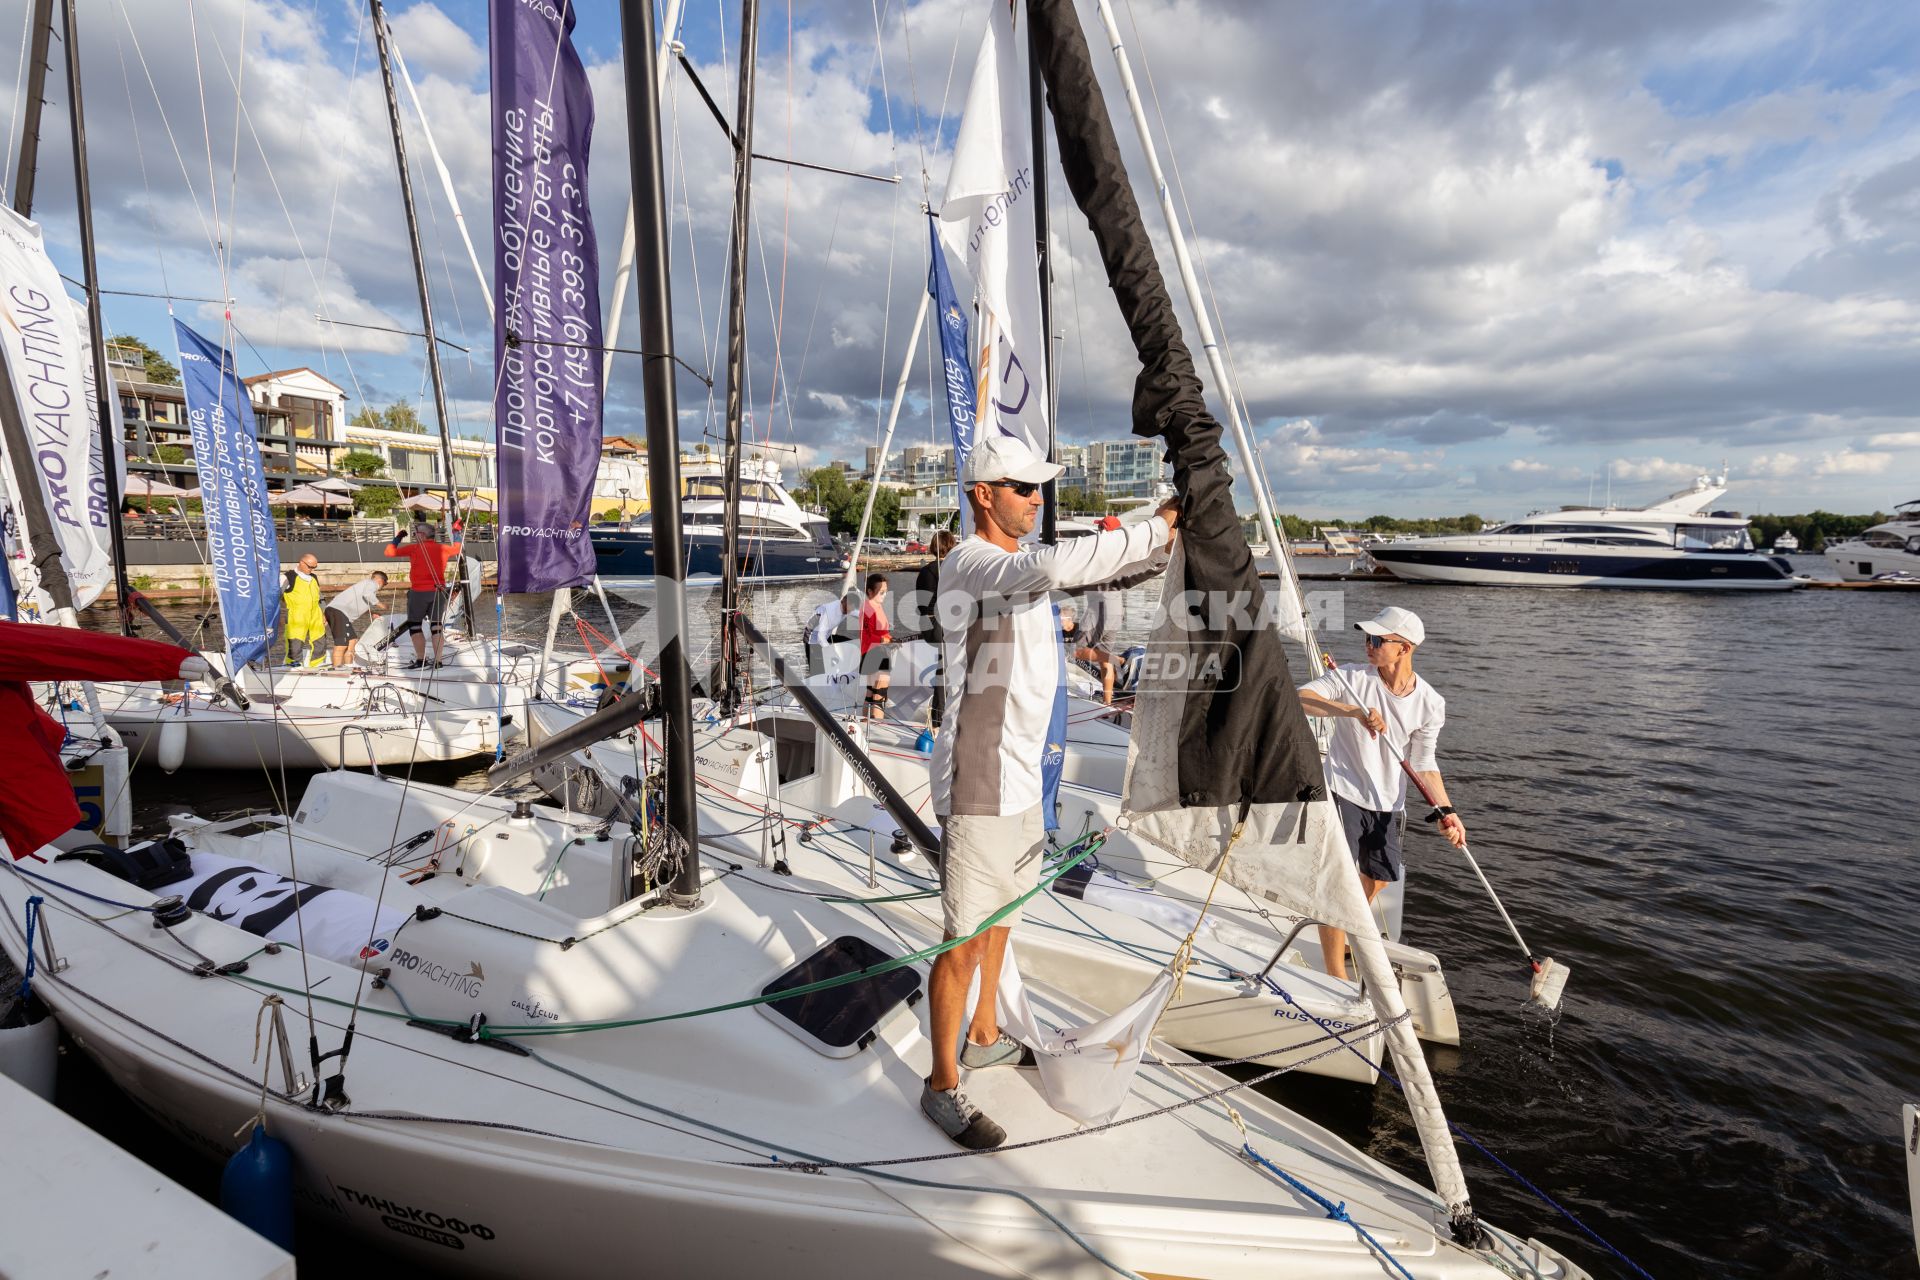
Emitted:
<point x="546" y="1039"/>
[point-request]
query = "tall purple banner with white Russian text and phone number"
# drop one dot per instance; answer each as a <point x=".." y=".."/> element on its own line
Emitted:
<point x="546" y="285"/>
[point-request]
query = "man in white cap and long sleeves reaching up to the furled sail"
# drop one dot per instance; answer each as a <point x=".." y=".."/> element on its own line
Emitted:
<point x="1001" y="650"/>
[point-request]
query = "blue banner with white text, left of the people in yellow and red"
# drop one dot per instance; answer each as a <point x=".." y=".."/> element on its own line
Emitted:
<point x="233" y="494"/>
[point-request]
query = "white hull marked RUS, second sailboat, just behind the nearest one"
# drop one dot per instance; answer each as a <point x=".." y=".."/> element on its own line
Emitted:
<point x="1245" y="995"/>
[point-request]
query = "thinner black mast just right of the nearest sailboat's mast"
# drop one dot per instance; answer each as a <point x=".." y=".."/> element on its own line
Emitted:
<point x="736" y="352"/>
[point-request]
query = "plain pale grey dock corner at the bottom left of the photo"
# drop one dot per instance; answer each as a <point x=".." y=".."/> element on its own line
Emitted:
<point x="80" y="1206"/>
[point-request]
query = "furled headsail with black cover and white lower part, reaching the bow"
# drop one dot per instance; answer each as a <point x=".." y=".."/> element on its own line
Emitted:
<point x="1222" y="767"/>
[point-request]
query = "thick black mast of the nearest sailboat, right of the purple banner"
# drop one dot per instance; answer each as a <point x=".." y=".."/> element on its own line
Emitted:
<point x="663" y="439"/>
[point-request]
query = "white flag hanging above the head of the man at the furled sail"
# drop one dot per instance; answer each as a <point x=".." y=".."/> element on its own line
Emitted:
<point x="990" y="224"/>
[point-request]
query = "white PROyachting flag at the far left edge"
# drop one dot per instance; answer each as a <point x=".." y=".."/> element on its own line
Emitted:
<point x="43" y="337"/>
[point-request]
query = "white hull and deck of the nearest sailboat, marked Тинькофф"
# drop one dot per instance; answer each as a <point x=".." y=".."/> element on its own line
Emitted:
<point x="569" y="1162"/>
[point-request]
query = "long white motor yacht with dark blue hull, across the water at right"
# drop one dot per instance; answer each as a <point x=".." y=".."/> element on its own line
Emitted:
<point x="1677" y="544"/>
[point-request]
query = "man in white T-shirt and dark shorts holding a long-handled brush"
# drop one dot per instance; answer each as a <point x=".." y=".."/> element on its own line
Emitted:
<point x="1387" y="715"/>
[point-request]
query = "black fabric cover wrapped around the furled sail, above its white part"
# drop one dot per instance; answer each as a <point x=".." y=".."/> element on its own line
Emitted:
<point x="1243" y="736"/>
